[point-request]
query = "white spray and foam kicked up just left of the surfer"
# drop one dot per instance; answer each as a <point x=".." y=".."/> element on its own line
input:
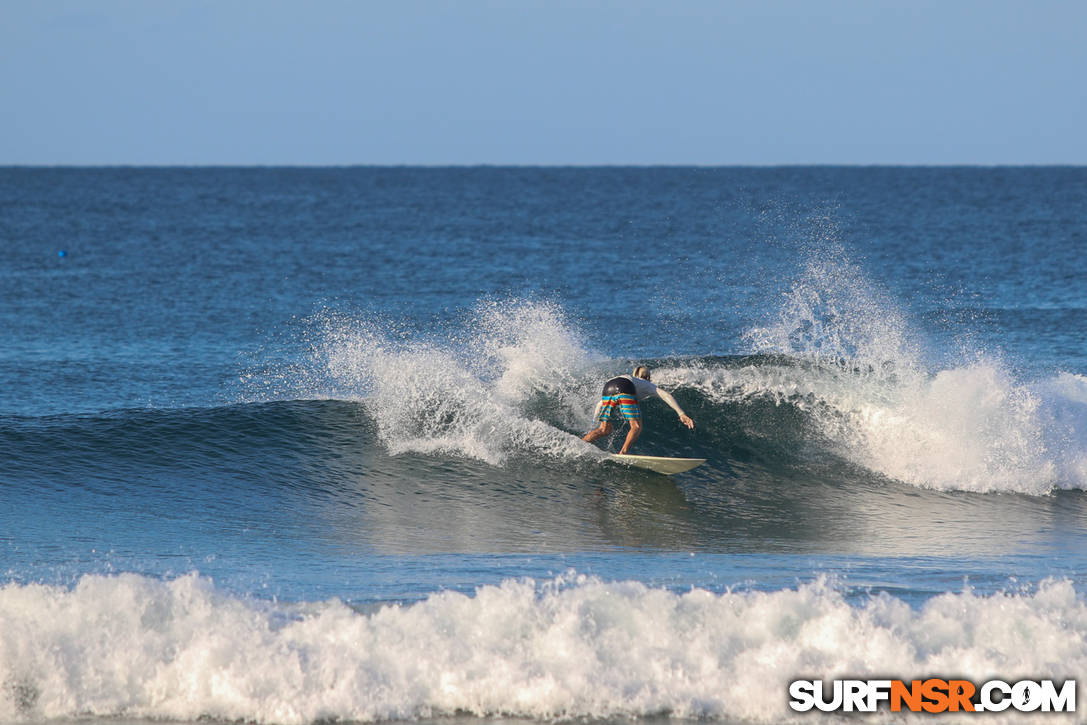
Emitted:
<point x="470" y="394"/>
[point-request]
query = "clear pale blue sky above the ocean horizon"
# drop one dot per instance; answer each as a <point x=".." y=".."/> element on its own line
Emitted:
<point x="543" y="82"/>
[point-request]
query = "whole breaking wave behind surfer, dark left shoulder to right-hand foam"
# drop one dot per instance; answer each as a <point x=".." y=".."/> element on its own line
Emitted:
<point x="971" y="429"/>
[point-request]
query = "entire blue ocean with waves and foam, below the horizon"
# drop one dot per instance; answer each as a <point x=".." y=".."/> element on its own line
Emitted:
<point x="292" y="445"/>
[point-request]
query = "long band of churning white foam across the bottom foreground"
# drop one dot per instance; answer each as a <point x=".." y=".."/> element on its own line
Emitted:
<point x="136" y="647"/>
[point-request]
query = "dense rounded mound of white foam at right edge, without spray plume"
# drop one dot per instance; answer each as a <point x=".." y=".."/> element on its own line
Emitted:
<point x="967" y="429"/>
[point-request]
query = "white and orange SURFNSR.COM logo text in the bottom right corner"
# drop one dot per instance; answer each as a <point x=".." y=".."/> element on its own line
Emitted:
<point x="933" y="696"/>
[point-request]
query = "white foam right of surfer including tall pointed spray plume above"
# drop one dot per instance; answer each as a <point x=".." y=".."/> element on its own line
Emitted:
<point x="970" y="427"/>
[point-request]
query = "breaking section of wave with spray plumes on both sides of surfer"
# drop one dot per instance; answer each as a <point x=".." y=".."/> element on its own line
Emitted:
<point x="836" y="376"/>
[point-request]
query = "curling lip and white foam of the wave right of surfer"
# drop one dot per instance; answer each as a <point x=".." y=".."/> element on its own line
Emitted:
<point x="968" y="429"/>
